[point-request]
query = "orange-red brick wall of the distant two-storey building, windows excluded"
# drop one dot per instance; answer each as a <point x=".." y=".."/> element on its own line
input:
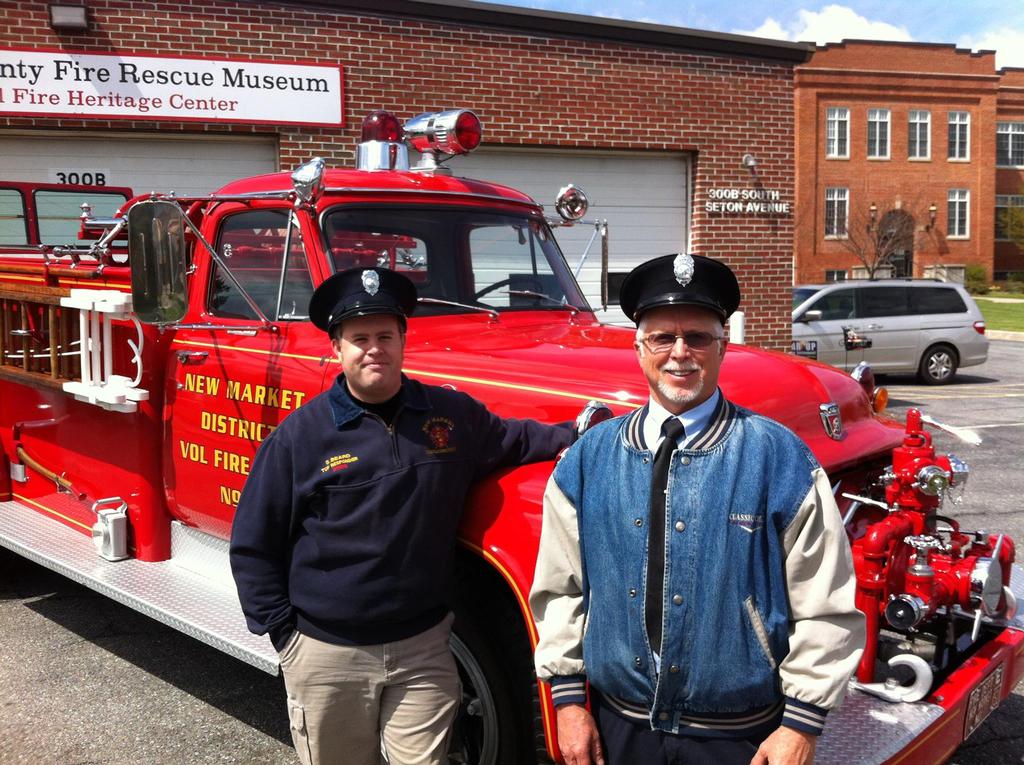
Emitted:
<point x="902" y="77"/>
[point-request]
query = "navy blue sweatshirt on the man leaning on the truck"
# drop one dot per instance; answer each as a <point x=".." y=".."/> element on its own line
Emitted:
<point x="347" y="528"/>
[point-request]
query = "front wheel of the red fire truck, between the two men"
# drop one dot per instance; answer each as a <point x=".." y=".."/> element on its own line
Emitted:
<point x="493" y="727"/>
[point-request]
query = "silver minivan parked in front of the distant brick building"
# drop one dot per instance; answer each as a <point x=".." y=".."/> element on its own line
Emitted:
<point x="907" y="326"/>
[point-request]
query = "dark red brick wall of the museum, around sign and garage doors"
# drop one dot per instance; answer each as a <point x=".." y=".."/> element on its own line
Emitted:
<point x="528" y="90"/>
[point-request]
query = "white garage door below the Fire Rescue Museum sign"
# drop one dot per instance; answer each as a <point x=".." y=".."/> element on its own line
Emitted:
<point x="186" y="165"/>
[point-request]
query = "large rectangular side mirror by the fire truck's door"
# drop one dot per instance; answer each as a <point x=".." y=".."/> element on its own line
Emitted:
<point x="159" y="262"/>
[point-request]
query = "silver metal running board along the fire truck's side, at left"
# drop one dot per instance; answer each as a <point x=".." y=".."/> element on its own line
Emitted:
<point x="193" y="592"/>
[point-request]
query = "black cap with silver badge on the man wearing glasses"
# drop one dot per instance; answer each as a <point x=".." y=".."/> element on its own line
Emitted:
<point x="680" y="280"/>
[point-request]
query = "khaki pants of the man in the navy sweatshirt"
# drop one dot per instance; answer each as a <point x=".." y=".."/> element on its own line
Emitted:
<point x="346" y="702"/>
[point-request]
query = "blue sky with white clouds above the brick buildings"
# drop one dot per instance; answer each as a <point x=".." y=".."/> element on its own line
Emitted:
<point x="989" y="25"/>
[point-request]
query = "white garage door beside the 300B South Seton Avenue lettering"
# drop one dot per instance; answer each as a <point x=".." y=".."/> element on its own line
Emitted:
<point x="644" y="197"/>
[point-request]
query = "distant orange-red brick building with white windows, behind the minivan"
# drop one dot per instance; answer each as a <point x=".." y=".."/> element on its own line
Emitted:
<point x="905" y="153"/>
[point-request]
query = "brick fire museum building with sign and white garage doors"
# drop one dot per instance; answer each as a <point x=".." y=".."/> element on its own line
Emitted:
<point x="653" y="122"/>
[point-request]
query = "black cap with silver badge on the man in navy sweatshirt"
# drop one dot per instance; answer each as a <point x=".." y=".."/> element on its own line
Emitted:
<point x="362" y="292"/>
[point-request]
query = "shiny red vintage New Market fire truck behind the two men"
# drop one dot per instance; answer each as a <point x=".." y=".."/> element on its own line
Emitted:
<point x="140" y="373"/>
